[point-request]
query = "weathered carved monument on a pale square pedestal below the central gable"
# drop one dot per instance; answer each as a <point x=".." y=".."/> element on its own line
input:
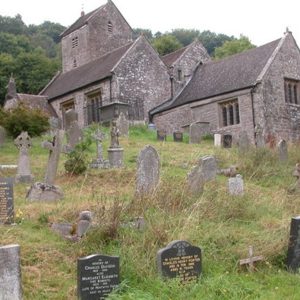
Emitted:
<point x="115" y="152"/>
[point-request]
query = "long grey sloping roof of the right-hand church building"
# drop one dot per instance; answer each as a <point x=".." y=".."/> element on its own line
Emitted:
<point x="219" y="77"/>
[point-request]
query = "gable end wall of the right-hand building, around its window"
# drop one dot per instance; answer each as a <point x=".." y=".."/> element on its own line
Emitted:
<point x="276" y="117"/>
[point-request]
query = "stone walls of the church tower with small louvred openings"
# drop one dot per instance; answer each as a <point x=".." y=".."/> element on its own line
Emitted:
<point x="94" y="38"/>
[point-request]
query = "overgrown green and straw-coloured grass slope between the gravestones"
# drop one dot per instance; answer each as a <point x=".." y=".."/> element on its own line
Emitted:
<point x="222" y="225"/>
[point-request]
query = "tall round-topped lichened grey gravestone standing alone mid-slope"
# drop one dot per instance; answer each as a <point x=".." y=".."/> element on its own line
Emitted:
<point x="147" y="176"/>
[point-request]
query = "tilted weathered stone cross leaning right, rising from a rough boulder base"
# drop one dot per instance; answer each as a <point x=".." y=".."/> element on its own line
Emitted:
<point x="55" y="148"/>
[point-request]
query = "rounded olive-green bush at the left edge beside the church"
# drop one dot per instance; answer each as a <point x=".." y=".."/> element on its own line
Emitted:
<point x="34" y="121"/>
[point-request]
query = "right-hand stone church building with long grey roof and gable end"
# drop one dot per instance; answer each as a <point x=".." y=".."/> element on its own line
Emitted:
<point x="257" y="91"/>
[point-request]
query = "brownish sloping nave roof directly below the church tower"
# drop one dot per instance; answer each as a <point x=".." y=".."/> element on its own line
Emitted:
<point x="85" y="75"/>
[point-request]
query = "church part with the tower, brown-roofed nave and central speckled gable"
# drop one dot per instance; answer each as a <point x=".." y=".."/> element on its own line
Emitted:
<point x="102" y="64"/>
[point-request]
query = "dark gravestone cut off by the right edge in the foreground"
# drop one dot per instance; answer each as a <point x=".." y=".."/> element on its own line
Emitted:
<point x="293" y="255"/>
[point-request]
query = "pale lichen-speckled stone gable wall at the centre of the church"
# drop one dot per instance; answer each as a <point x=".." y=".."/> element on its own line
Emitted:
<point x="141" y="79"/>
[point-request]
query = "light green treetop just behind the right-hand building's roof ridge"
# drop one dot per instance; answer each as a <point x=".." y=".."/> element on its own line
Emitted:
<point x="233" y="47"/>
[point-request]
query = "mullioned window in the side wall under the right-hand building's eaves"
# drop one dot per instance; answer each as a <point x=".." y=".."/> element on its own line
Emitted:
<point x="230" y="114"/>
